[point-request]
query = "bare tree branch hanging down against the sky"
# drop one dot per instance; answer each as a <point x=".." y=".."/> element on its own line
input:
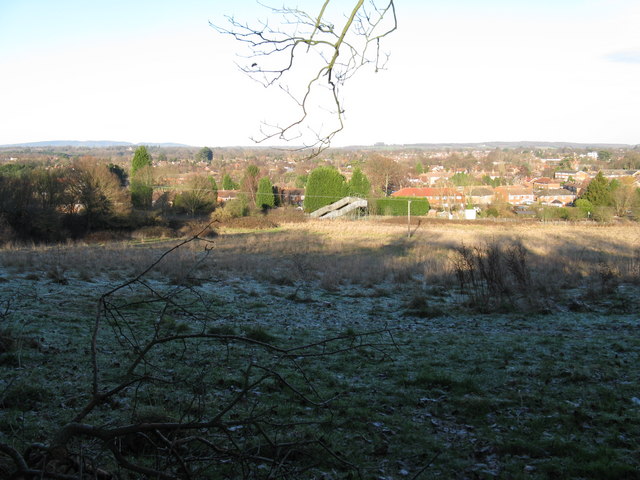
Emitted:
<point x="310" y="59"/>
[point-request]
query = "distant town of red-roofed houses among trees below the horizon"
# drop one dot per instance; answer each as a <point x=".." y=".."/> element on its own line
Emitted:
<point x="549" y="181"/>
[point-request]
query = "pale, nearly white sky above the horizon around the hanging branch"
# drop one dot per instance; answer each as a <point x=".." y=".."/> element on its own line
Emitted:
<point x="464" y="71"/>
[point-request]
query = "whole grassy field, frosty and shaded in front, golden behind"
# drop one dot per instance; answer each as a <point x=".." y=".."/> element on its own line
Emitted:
<point x="467" y="350"/>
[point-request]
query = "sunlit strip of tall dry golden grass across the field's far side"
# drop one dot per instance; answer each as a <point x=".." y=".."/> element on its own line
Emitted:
<point x="358" y="252"/>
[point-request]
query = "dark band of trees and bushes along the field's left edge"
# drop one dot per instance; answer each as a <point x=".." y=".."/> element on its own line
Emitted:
<point x="50" y="204"/>
